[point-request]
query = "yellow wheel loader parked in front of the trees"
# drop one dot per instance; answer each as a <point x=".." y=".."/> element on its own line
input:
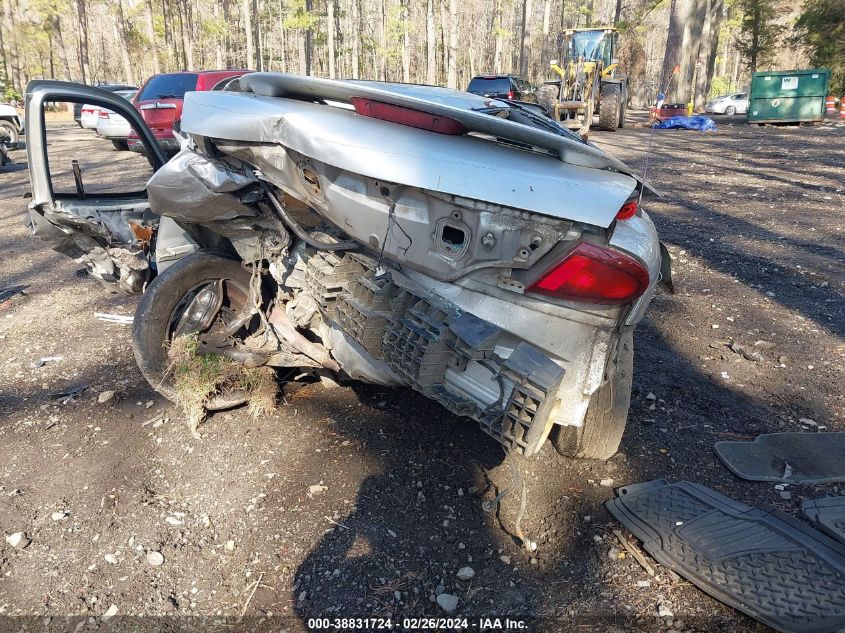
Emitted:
<point x="588" y="82"/>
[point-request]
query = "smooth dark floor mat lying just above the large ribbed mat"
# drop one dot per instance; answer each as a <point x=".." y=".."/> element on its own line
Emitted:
<point x="797" y="458"/>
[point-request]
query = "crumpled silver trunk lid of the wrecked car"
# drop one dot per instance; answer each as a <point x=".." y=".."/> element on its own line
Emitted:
<point x="467" y="166"/>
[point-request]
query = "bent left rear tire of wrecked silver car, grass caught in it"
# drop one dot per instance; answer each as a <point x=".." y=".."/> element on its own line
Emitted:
<point x="158" y="309"/>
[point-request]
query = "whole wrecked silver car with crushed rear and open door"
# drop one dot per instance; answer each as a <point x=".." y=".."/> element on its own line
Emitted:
<point x="465" y="247"/>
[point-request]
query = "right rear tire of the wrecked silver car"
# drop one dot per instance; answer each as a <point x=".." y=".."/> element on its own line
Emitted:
<point x="604" y="423"/>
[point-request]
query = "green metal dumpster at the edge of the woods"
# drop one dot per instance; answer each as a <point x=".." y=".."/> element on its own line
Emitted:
<point x="788" y="96"/>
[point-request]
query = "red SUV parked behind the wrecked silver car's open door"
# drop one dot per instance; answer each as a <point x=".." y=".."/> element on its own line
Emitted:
<point x="160" y="101"/>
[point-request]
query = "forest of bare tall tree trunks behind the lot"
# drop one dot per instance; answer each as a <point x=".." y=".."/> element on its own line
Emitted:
<point x="698" y="48"/>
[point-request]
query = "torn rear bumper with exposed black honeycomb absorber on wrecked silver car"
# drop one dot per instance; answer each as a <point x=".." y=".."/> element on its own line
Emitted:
<point x="515" y="364"/>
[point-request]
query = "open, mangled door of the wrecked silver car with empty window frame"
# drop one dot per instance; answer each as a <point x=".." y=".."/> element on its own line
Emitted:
<point x="89" y="200"/>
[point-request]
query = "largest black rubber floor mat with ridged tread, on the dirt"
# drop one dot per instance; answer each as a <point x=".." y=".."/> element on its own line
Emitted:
<point x="761" y="561"/>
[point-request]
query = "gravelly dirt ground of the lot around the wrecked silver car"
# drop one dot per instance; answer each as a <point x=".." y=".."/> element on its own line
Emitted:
<point x="360" y="501"/>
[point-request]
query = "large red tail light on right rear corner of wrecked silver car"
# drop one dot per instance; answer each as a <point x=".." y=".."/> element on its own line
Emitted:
<point x="593" y="274"/>
